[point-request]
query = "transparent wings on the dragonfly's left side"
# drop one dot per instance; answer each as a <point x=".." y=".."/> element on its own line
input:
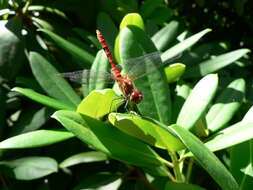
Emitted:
<point x="88" y="76"/>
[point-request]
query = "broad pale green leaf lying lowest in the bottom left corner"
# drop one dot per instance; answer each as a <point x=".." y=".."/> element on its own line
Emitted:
<point x="29" y="168"/>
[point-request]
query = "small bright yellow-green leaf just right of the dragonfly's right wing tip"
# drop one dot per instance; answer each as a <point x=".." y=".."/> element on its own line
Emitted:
<point x="174" y="71"/>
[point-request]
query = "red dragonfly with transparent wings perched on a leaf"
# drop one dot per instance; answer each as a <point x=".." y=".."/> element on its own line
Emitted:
<point x="125" y="81"/>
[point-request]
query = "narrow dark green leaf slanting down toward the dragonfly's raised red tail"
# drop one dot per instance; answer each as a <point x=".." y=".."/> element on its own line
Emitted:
<point x="72" y="49"/>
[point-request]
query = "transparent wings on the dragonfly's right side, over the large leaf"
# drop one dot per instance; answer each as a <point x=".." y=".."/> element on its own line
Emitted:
<point x="143" y="65"/>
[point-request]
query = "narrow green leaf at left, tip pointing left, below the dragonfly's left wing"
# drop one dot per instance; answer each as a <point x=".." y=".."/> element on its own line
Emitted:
<point x="43" y="99"/>
